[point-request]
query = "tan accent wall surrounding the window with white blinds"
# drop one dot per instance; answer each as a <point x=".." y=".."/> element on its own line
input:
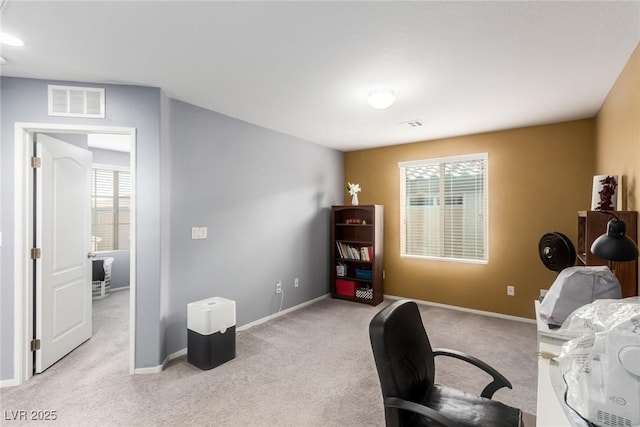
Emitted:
<point x="539" y="177"/>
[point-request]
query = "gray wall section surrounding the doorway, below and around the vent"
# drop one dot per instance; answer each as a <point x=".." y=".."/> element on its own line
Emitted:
<point x="25" y="100"/>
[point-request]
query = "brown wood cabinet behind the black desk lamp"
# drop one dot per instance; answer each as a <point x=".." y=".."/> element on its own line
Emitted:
<point x="593" y="224"/>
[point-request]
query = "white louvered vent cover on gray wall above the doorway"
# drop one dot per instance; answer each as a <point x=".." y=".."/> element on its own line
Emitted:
<point x="70" y="101"/>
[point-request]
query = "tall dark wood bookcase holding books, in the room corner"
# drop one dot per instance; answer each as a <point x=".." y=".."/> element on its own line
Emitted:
<point x="357" y="253"/>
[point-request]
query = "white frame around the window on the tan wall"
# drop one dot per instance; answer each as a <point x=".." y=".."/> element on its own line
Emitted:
<point x="443" y="197"/>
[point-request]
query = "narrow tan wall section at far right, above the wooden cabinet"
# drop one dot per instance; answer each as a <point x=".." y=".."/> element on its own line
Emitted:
<point x="618" y="132"/>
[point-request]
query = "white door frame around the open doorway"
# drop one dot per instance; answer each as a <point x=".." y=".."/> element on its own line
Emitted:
<point x="23" y="236"/>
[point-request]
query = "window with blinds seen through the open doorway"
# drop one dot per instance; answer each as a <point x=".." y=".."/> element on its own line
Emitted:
<point x="110" y="209"/>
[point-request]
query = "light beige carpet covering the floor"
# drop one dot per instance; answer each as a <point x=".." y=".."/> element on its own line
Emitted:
<point x="311" y="367"/>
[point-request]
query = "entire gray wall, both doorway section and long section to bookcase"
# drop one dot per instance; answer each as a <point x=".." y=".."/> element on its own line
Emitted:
<point x="263" y="195"/>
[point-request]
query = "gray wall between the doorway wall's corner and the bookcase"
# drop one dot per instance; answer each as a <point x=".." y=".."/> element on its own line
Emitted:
<point x="265" y="198"/>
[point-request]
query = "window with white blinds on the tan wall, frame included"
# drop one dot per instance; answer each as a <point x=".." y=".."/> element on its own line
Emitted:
<point x="444" y="208"/>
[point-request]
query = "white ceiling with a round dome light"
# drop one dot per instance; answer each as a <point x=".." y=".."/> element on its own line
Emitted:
<point x="305" y="68"/>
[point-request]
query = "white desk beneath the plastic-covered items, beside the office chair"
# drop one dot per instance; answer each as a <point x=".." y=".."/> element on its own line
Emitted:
<point x="549" y="412"/>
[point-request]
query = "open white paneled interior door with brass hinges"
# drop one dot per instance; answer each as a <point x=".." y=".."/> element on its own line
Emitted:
<point x="63" y="232"/>
